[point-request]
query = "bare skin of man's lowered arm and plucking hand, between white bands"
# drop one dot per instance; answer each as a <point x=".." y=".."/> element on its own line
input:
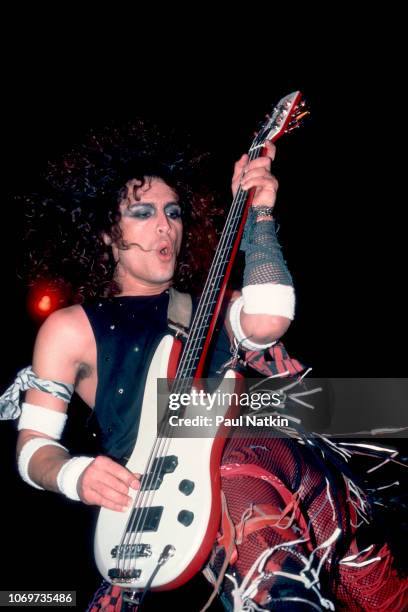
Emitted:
<point x="58" y="355"/>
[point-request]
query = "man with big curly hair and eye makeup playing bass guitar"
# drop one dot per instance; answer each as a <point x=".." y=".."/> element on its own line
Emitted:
<point x="119" y="212"/>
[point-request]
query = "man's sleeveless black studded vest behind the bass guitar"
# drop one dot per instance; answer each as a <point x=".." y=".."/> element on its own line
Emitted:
<point x="127" y="331"/>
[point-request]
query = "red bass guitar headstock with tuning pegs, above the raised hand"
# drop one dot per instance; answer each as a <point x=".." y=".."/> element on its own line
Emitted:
<point x="286" y="116"/>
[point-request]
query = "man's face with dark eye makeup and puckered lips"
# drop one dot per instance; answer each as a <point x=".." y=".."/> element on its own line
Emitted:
<point x="152" y="228"/>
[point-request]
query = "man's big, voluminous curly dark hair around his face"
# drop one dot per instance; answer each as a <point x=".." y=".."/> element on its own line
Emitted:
<point x="78" y="201"/>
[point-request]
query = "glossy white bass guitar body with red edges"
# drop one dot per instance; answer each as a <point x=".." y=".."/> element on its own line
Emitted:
<point x="185" y="506"/>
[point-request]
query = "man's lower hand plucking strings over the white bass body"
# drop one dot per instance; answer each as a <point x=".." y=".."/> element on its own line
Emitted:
<point x="106" y="483"/>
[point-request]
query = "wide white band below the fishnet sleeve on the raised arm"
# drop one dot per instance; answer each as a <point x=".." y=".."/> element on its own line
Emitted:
<point x="269" y="298"/>
